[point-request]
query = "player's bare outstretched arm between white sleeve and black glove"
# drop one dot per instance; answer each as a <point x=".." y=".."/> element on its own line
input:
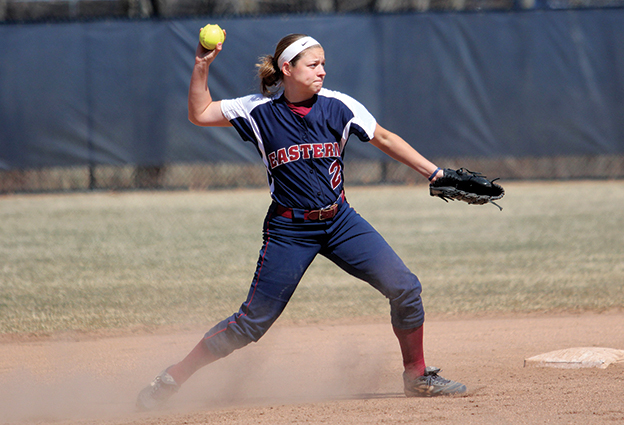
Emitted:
<point x="395" y="147"/>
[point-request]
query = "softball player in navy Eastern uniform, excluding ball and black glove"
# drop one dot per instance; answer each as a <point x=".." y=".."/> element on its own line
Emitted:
<point x="300" y="130"/>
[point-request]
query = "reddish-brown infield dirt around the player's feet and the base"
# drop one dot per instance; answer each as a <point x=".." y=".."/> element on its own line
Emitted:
<point x="335" y="373"/>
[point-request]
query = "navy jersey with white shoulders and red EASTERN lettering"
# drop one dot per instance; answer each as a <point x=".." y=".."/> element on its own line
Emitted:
<point x="303" y="155"/>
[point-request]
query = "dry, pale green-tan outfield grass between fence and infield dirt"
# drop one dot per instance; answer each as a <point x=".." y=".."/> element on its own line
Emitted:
<point x="109" y="261"/>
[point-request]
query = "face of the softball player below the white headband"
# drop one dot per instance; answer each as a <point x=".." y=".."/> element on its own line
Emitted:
<point x="308" y="74"/>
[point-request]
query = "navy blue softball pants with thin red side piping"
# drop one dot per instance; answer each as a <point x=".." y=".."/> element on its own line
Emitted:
<point x="290" y="246"/>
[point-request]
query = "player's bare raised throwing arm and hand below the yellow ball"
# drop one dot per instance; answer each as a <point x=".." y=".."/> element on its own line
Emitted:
<point x="203" y="111"/>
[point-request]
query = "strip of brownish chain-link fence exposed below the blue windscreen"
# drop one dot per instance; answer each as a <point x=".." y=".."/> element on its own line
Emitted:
<point x="236" y="175"/>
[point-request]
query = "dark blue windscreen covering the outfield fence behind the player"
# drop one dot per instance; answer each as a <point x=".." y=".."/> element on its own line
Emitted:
<point x="533" y="83"/>
